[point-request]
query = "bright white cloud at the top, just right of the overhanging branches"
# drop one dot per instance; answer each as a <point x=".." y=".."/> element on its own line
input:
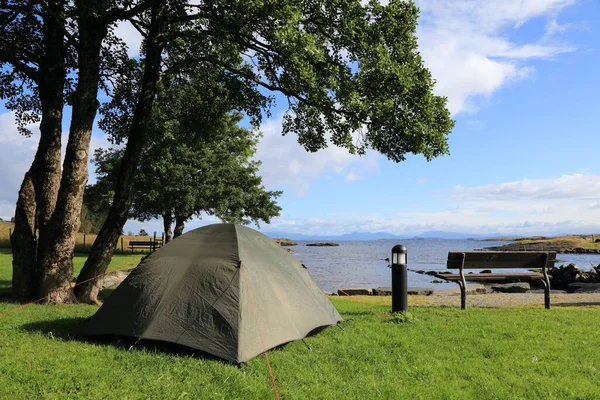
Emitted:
<point x="464" y="44"/>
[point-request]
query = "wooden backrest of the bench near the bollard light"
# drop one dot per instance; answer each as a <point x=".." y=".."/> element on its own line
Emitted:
<point x="500" y="259"/>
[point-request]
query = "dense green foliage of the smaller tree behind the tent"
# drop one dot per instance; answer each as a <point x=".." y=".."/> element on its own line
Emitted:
<point x="198" y="159"/>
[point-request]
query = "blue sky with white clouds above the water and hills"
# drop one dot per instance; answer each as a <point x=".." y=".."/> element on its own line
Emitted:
<point x="522" y="82"/>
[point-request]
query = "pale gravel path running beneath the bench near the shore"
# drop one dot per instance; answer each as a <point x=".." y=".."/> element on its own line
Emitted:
<point x="451" y="298"/>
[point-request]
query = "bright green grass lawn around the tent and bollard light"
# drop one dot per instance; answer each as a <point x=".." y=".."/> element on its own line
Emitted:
<point x="442" y="353"/>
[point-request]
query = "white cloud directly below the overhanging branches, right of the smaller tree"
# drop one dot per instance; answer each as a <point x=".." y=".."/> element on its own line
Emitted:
<point x="285" y="162"/>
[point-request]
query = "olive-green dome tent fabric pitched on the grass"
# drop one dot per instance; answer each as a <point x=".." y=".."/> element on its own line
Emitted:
<point x="223" y="289"/>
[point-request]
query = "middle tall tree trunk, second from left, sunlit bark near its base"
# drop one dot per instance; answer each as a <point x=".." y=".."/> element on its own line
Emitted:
<point x="56" y="258"/>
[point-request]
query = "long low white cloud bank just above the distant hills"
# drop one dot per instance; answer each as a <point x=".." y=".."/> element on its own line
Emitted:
<point x="569" y="203"/>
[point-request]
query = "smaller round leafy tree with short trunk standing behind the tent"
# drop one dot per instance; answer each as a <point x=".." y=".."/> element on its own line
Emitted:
<point x="181" y="176"/>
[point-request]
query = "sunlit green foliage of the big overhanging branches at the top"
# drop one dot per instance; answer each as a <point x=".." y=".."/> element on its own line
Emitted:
<point x="351" y="73"/>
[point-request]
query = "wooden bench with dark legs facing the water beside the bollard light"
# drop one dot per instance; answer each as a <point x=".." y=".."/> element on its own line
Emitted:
<point x="500" y="259"/>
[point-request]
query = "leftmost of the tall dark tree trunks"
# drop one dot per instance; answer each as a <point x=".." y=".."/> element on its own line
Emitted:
<point x="39" y="190"/>
